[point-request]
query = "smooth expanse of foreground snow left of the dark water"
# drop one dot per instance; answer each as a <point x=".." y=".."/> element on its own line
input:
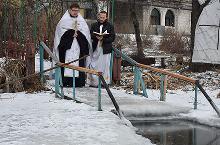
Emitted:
<point x="43" y="119"/>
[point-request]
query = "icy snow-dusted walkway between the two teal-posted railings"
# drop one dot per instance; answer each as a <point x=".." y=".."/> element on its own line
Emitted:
<point x="131" y="105"/>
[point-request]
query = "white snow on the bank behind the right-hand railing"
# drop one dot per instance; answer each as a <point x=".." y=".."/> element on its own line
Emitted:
<point x="204" y="113"/>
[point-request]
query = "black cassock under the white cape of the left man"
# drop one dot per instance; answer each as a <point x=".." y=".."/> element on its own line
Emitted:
<point x="64" y="45"/>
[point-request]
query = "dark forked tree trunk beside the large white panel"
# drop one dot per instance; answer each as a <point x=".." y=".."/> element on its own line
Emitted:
<point x="196" y="11"/>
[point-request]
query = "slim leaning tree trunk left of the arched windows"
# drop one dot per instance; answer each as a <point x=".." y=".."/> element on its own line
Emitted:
<point x="136" y="27"/>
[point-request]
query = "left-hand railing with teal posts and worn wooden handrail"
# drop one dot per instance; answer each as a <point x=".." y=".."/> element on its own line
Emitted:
<point x="58" y="78"/>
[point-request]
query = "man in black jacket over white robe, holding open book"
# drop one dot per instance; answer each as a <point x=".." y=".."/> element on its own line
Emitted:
<point x="102" y="34"/>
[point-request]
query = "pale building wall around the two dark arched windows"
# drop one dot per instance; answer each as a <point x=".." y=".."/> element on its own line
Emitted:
<point x="180" y="8"/>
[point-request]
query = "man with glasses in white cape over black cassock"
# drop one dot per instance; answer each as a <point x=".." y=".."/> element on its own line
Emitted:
<point x="72" y="41"/>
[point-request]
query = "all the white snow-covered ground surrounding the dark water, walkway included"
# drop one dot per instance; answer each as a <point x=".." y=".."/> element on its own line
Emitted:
<point x="43" y="119"/>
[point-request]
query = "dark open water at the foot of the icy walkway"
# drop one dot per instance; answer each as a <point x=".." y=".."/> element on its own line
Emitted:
<point x="178" y="133"/>
